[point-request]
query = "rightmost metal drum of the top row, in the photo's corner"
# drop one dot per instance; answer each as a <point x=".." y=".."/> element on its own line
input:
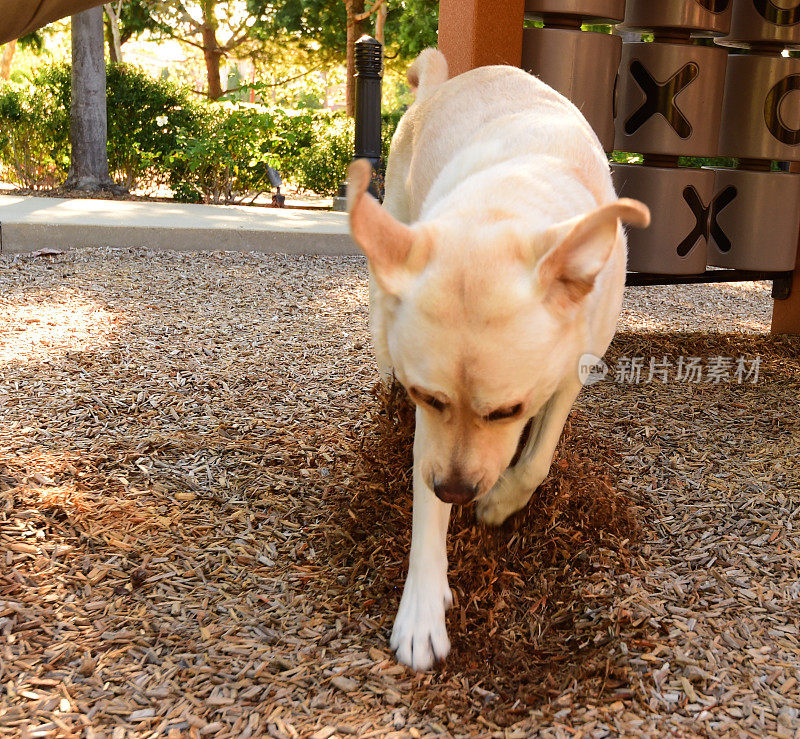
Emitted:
<point x="764" y="23"/>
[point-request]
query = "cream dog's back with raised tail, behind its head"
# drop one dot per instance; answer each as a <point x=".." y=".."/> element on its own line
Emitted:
<point x="517" y="117"/>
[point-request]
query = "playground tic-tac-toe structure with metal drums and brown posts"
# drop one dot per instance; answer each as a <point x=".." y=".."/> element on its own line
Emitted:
<point x="713" y="82"/>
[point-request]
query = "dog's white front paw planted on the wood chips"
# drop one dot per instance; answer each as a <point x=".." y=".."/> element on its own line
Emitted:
<point x="419" y="636"/>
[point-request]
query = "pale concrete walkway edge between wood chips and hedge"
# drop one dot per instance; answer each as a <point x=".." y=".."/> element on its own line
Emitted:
<point x="31" y="223"/>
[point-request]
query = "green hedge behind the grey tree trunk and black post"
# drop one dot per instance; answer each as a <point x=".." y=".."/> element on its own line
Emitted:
<point x="157" y="133"/>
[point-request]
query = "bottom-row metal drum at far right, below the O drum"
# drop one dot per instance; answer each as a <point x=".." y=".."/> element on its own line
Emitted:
<point x="754" y="220"/>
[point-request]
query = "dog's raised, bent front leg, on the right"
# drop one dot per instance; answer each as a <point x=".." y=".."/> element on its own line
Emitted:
<point x="516" y="485"/>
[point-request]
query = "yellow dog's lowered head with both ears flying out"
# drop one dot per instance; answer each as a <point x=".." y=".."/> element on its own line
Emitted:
<point x="482" y="341"/>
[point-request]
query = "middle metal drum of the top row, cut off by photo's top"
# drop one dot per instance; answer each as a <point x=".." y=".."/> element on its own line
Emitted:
<point x="696" y="17"/>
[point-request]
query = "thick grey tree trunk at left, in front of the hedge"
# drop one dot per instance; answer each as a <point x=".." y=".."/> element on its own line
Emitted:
<point x="88" y="124"/>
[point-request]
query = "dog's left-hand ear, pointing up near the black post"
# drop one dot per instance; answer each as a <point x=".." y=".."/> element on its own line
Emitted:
<point x="395" y="252"/>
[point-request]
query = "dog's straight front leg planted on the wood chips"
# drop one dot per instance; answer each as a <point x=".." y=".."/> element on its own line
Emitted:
<point x="420" y="636"/>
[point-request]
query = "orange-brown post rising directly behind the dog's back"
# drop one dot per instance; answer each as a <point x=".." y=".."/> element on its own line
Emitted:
<point x="474" y="33"/>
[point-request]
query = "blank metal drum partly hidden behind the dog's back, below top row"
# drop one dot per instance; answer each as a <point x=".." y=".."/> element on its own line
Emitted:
<point x="580" y="65"/>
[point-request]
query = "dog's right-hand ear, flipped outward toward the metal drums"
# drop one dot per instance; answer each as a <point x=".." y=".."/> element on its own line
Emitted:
<point x="583" y="245"/>
